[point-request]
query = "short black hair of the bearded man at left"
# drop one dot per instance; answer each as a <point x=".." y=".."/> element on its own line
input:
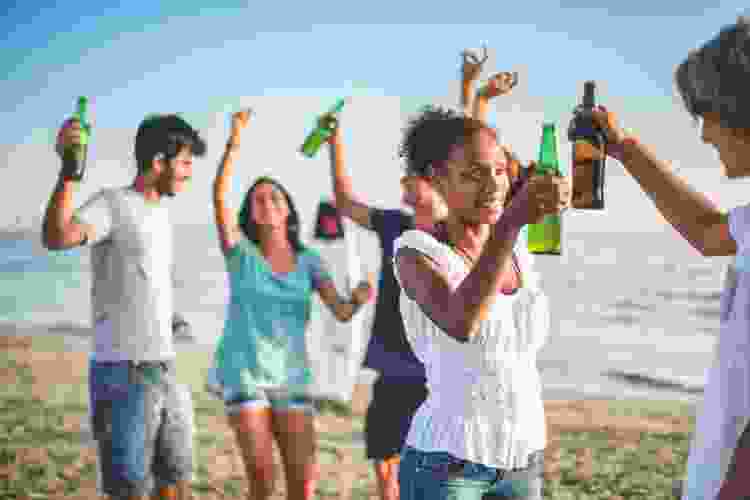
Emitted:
<point x="166" y="135"/>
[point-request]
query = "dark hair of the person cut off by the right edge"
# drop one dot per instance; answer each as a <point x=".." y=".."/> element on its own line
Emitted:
<point x="715" y="77"/>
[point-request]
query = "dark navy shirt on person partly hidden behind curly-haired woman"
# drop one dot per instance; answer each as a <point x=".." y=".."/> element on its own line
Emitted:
<point x="389" y="352"/>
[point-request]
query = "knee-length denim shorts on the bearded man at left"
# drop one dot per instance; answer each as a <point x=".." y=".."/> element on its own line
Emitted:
<point x="142" y="423"/>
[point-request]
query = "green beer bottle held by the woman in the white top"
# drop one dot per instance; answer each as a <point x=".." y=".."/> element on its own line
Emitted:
<point x="546" y="236"/>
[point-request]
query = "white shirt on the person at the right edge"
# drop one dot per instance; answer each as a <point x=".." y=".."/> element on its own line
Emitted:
<point x="726" y="398"/>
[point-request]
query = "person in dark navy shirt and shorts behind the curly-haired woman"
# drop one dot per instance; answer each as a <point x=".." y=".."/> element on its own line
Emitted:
<point x="400" y="387"/>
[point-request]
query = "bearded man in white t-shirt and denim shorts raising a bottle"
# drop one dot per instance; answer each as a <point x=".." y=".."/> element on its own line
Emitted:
<point x="140" y="417"/>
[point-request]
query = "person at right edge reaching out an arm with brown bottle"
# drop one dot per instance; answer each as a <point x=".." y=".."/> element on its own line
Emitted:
<point x="712" y="82"/>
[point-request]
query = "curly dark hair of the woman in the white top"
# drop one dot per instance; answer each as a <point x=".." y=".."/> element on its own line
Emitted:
<point x="429" y="136"/>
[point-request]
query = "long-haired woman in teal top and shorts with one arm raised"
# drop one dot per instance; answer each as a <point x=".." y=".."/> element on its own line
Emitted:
<point x="261" y="359"/>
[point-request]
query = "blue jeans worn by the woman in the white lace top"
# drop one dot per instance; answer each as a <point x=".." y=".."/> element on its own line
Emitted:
<point x="441" y="476"/>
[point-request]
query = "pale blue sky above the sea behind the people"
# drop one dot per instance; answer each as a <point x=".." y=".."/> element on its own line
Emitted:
<point x="290" y="61"/>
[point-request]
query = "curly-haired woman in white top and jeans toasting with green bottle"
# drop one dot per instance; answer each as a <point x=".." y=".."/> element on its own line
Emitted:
<point x="475" y="317"/>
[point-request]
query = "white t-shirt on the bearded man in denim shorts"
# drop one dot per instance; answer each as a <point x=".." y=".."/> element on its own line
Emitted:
<point x="131" y="261"/>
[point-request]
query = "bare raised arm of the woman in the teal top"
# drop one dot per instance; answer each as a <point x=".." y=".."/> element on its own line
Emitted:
<point x="226" y="218"/>
